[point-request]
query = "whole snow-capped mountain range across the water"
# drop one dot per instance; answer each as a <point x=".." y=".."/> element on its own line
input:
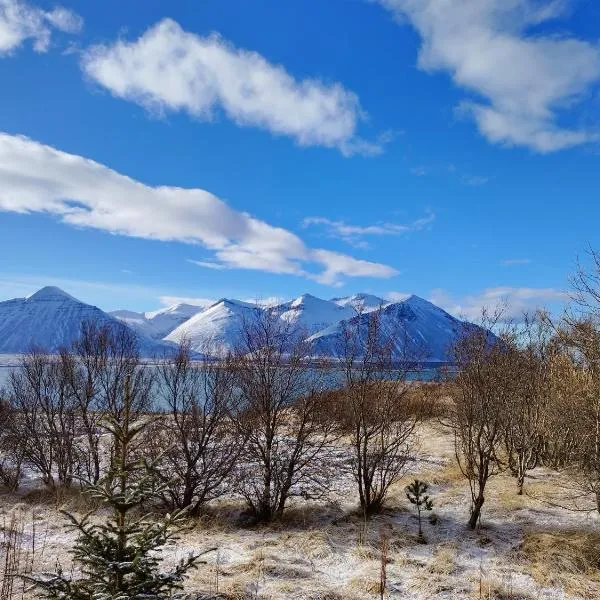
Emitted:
<point x="51" y="319"/>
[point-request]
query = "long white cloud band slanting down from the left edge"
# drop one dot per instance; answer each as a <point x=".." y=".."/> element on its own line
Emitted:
<point x="35" y="178"/>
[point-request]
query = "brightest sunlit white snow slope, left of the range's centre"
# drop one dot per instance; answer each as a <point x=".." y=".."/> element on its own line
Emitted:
<point x="217" y="329"/>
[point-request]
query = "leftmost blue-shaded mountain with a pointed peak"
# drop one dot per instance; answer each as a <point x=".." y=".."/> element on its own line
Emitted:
<point x="50" y="319"/>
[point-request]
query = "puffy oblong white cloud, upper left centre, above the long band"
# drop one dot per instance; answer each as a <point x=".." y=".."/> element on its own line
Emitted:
<point x="169" y="69"/>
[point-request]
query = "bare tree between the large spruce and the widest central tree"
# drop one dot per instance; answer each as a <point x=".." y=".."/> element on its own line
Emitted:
<point x="198" y="443"/>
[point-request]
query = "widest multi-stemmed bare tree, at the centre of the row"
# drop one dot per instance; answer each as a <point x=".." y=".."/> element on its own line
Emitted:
<point x="282" y="417"/>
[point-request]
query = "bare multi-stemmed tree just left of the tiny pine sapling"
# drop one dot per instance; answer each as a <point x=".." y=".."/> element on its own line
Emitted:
<point x="378" y="411"/>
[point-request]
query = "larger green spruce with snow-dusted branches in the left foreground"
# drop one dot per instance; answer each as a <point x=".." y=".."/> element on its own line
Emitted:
<point x="117" y="559"/>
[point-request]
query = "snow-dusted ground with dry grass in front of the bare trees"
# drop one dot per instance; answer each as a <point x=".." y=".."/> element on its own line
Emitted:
<point x="325" y="551"/>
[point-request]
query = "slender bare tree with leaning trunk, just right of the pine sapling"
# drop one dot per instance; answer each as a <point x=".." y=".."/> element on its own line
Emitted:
<point x="482" y="387"/>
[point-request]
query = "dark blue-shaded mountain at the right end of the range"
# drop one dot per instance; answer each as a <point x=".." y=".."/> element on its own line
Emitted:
<point x="420" y="330"/>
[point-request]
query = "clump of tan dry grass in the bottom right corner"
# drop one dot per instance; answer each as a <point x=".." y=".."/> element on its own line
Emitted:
<point x="566" y="559"/>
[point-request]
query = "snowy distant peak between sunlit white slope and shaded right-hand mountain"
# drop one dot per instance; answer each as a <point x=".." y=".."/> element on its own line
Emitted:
<point x="311" y="314"/>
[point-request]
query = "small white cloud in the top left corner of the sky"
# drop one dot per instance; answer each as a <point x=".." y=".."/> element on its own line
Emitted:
<point x="20" y="21"/>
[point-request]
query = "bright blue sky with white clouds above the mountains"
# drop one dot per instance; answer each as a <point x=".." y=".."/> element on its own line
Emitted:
<point x="156" y="152"/>
